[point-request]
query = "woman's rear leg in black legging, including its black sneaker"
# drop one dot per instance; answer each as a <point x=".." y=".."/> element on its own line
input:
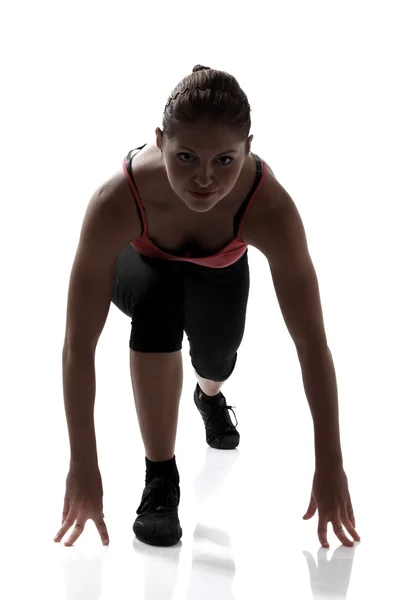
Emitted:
<point x="216" y="303"/>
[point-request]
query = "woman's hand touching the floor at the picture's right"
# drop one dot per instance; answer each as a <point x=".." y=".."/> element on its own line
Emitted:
<point x="330" y="494"/>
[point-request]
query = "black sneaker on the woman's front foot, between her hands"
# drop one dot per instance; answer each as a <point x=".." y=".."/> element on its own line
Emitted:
<point x="157" y="523"/>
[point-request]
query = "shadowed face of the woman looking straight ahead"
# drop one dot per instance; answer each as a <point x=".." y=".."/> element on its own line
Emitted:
<point x="203" y="158"/>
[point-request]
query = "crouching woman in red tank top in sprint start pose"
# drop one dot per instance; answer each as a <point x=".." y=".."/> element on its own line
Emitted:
<point x="165" y="239"/>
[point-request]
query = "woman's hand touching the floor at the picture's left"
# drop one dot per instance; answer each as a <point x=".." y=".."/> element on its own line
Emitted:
<point x="83" y="500"/>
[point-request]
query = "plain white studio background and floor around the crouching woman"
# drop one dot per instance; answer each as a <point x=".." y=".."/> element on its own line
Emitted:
<point x="82" y="84"/>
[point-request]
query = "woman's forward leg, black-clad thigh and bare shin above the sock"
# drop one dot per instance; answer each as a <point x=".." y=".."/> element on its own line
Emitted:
<point x="151" y="292"/>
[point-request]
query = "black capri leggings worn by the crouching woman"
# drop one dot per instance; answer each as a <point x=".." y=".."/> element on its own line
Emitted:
<point x="165" y="298"/>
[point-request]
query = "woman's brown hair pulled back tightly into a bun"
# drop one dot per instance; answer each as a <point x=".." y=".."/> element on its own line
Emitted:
<point x="210" y="95"/>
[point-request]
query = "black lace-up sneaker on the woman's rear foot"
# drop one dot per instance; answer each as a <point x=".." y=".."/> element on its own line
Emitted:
<point x="221" y="433"/>
